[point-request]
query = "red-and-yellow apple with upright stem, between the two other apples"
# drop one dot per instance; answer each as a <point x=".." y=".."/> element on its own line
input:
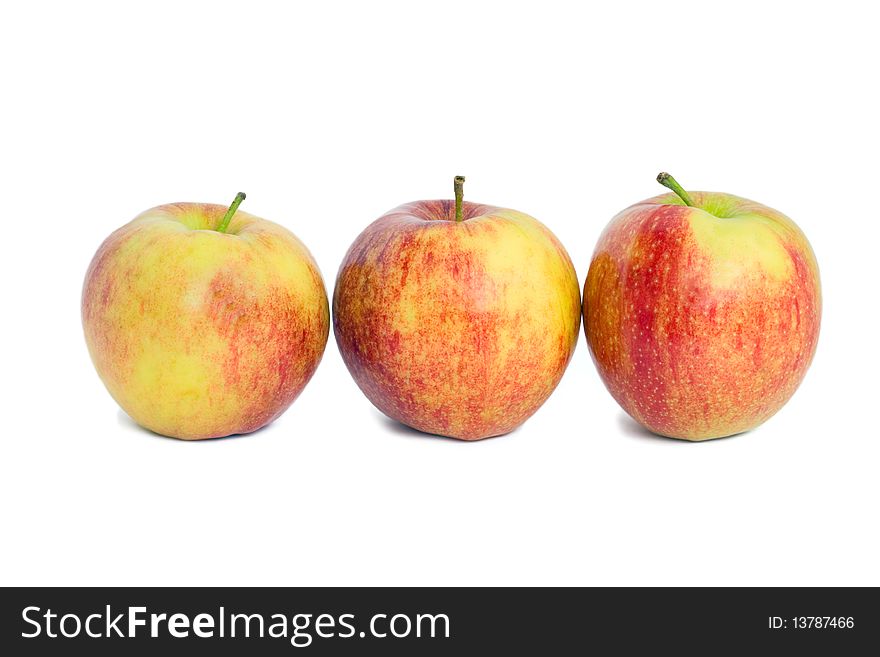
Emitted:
<point x="456" y="318"/>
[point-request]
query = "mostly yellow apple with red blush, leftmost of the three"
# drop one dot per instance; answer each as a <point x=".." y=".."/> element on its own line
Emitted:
<point x="202" y="321"/>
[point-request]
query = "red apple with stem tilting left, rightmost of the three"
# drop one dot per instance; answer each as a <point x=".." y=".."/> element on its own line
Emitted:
<point x="701" y="311"/>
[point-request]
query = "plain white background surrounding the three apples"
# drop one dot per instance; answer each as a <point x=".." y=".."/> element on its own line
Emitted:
<point x="329" y="114"/>
